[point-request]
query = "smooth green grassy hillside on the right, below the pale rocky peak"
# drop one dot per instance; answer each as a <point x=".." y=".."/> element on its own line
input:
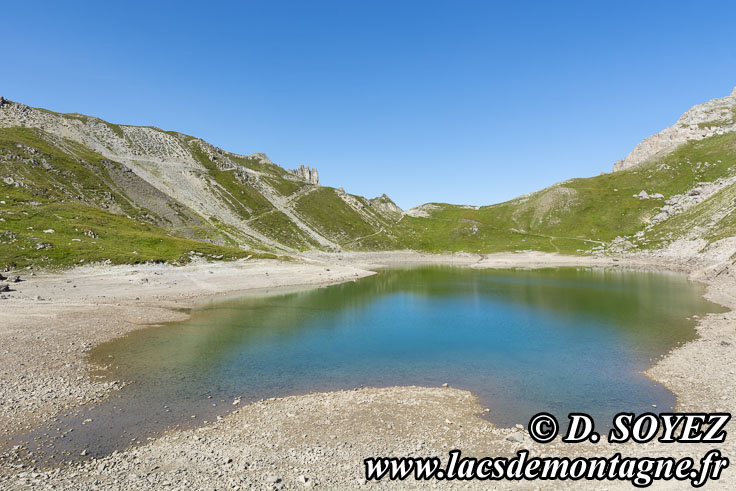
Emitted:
<point x="578" y="214"/>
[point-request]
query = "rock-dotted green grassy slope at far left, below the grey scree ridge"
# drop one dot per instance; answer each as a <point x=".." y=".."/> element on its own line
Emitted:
<point x="60" y="205"/>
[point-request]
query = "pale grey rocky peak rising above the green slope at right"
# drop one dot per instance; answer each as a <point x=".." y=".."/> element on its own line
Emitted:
<point x="715" y="117"/>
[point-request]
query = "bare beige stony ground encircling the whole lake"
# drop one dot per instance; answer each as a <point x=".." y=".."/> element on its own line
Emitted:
<point x="315" y="440"/>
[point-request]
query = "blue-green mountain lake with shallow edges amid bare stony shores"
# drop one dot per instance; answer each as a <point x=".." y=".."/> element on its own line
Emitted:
<point x="555" y="340"/>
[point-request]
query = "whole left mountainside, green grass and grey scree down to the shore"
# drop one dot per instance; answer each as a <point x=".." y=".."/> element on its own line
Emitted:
<point x="177" y="186"/>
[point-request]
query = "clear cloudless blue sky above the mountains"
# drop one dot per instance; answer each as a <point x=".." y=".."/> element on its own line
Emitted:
<point x="462" y="102"/>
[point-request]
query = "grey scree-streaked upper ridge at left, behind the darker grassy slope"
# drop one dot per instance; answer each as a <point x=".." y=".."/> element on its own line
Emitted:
<point x="209" y="182"/>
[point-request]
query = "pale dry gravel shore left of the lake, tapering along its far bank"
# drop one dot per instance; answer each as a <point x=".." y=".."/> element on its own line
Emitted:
<point x="50" y="321"/>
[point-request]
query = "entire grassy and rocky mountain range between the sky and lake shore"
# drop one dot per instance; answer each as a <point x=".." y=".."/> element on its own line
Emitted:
<point x="187" y="192"/>
